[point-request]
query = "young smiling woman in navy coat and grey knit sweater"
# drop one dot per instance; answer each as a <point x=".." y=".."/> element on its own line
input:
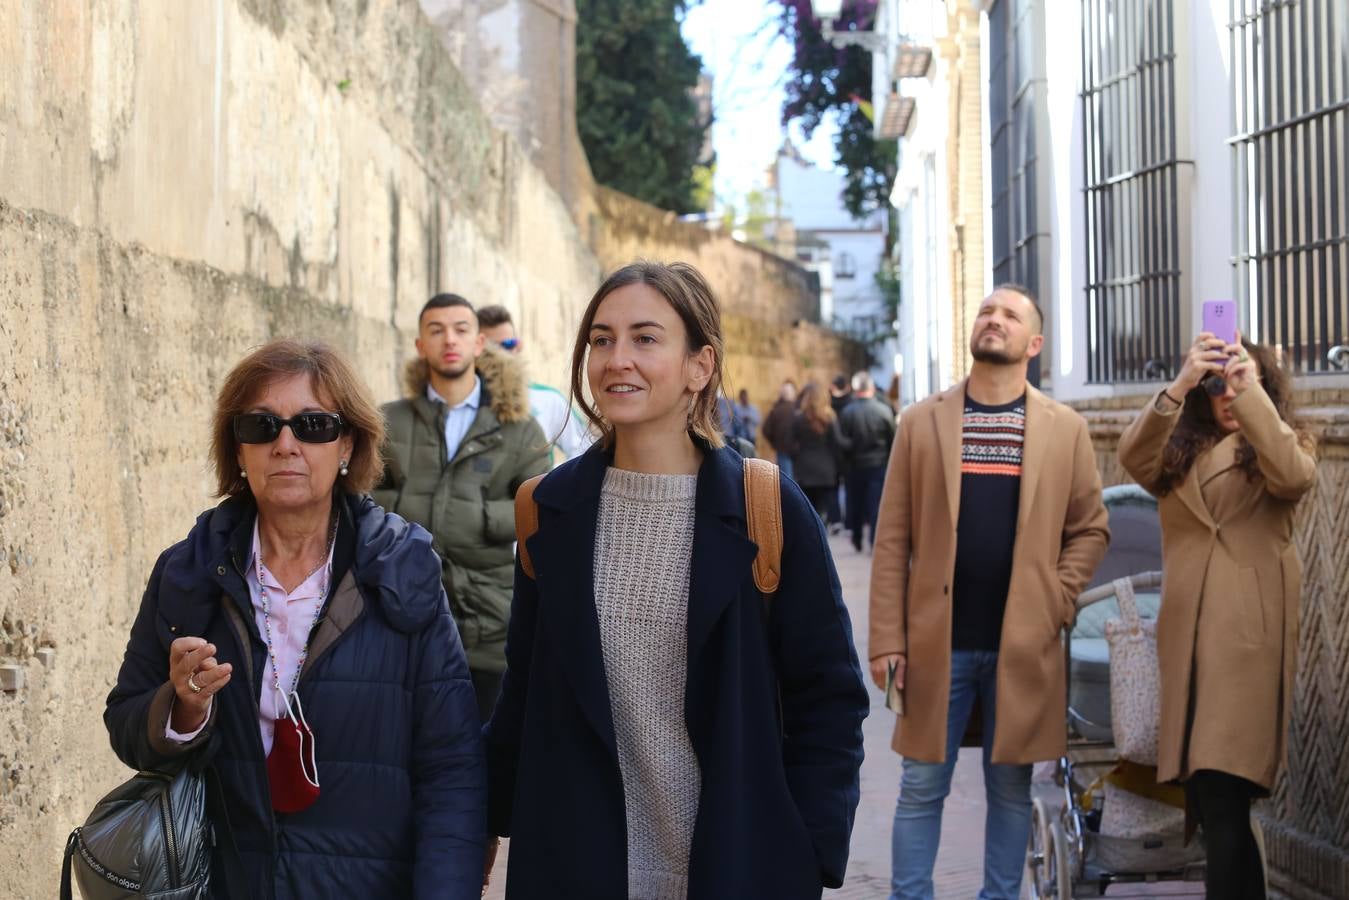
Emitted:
<point x="662" y="731"/>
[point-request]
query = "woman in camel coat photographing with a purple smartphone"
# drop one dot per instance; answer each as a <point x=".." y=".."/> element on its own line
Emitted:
<point x="1220" y="450"/>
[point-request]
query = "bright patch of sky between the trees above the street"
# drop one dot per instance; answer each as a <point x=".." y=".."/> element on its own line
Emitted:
<point x="741" y="48"/>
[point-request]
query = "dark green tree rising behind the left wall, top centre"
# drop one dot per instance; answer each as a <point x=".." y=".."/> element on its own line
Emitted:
<point x="635" y="110"/>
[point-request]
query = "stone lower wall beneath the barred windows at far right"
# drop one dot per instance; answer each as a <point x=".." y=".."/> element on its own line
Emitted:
<point x="1307" y="822"/>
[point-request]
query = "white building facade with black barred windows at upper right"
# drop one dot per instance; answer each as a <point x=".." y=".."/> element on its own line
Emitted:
<point x="1165" y="154"/>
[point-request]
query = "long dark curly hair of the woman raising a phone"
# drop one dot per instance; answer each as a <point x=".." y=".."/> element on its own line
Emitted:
<point x="1197" y="431"/>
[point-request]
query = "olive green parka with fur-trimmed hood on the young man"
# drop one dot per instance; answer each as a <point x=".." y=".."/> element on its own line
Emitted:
<point x="467" y="504"/>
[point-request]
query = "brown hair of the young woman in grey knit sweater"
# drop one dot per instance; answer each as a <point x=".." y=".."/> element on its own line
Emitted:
<point x="686" y="289"/>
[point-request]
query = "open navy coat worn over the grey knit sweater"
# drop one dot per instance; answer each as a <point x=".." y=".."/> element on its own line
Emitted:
<point x="780" y="781"/>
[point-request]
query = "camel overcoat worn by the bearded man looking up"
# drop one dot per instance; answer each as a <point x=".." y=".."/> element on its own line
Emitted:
<point x="1062" y="535"/>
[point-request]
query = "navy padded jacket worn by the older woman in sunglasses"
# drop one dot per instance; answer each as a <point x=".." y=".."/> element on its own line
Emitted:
<point x="386" y="690"/>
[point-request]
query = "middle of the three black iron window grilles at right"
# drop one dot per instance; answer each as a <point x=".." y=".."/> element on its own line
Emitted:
<point x="1137" y="192"/>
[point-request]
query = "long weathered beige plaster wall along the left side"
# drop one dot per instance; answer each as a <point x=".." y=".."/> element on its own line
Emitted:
<point x="179" y="183"/>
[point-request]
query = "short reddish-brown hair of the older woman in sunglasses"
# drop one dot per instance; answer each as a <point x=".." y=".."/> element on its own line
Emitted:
<point x="334" y="381"/>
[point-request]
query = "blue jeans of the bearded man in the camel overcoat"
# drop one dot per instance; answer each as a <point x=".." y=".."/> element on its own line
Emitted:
<point x="925" y="786"/>
